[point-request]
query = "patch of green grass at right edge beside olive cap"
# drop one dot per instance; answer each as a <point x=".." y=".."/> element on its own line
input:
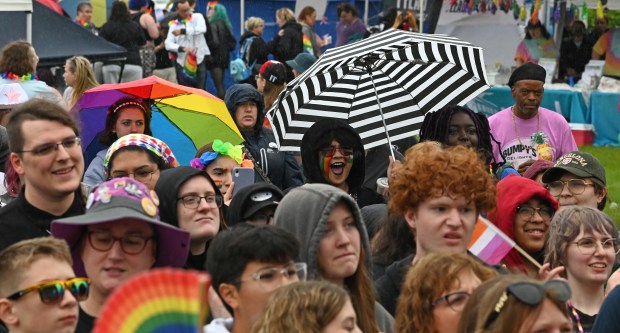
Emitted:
<point x="610" y="158"/>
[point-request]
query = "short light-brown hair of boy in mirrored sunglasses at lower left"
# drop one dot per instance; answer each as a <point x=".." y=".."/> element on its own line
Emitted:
<point x="16" y="259"/>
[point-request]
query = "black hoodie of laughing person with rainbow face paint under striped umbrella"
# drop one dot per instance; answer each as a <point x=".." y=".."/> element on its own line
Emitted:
<point x="320" y="136"/>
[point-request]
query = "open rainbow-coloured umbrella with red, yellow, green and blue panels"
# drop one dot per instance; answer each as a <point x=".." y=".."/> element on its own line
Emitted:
<point x="183" y="117"/>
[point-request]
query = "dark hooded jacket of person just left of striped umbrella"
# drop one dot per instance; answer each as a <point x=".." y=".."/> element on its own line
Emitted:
<point x="281" y="167"/>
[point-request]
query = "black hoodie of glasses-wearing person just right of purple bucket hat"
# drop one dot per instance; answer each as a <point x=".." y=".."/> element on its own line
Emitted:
<point x="167" y="189"/>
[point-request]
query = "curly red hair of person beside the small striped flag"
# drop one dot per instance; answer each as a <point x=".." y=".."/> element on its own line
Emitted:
<point x="431" y="171"/>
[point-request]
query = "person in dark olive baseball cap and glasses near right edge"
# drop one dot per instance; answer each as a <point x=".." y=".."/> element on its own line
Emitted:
<point x="577" y="179"/>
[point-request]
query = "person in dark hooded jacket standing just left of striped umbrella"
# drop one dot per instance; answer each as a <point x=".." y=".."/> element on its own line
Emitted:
<point x="246" y="105"/>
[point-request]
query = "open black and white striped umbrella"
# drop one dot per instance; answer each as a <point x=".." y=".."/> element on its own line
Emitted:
<point x="382" y="86"/>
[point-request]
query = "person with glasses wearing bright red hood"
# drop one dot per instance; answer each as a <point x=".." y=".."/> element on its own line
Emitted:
<point x="524" y="211"/>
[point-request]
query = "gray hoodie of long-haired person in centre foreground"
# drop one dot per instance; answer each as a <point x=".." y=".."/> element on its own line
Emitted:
<point x="304" y="212"/>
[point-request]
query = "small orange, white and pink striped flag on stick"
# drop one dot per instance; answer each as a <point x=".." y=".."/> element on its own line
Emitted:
<point x="489" y="243"/>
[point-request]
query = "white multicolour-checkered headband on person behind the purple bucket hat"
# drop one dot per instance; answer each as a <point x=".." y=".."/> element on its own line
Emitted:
<point x="147" y="142"/>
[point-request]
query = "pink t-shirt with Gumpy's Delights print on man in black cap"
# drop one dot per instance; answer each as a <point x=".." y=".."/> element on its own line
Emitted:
<point x="519" y="149"/>
